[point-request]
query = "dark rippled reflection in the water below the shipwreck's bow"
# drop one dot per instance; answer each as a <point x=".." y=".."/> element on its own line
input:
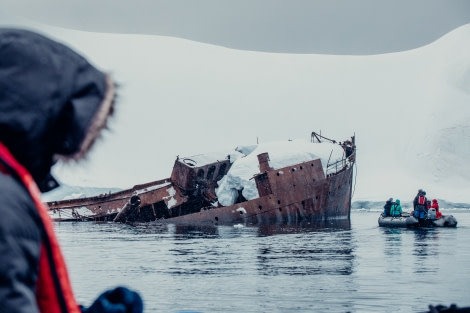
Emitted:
<point x="327" y="249"/>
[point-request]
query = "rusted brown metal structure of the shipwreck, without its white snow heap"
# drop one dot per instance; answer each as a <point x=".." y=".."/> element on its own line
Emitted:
<point x="298" y="192"/>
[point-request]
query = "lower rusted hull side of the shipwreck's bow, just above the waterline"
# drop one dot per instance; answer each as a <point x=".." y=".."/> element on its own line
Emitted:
<point x="330" y="199"/>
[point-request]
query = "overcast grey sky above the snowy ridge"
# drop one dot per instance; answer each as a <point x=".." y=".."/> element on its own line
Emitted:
<point x="290" y="26"/>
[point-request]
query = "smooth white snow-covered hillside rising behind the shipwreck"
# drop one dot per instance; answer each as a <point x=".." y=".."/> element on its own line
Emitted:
<point x="410" y="111"/>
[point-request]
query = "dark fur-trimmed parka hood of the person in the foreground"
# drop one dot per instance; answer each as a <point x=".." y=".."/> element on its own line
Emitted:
<point x="53" y="103"/>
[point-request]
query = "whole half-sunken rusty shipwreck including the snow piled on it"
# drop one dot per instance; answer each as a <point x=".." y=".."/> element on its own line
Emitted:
<point x="277" y="182"/>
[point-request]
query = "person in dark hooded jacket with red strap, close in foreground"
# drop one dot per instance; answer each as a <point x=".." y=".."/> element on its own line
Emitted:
<point x="53" y="105"/>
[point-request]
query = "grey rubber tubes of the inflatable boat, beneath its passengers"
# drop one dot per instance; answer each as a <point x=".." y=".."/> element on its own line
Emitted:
<point x="407" y="220"/>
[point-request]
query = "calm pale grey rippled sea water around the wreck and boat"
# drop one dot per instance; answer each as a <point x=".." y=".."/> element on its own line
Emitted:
<point x="345" y="266"/>
